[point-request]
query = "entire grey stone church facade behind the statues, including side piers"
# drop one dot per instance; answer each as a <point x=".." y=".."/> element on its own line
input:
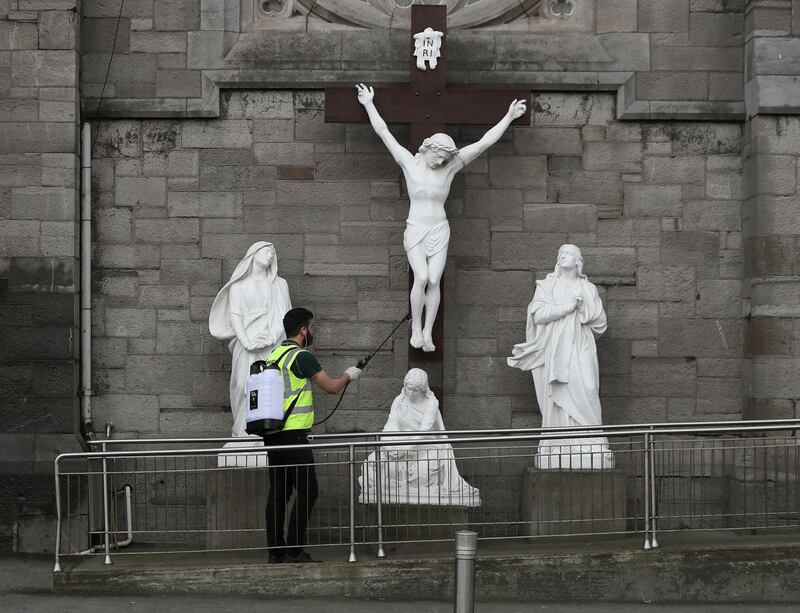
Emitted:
<point x="664" y="141"/>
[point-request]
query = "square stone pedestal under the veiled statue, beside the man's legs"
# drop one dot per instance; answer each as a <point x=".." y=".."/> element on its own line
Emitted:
<point x="236" y="500"/>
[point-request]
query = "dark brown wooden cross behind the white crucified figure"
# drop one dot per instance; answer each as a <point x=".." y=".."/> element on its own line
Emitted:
<point x="428" y="105"/>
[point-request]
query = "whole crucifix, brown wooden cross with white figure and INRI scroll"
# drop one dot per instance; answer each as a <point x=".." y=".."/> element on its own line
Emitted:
<point x="428" y="105"/>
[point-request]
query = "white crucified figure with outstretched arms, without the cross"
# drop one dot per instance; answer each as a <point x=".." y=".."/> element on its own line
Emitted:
<point x="428" y="176"/>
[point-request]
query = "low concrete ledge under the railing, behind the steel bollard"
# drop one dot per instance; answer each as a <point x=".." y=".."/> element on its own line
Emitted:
<point x="621" y="573"/>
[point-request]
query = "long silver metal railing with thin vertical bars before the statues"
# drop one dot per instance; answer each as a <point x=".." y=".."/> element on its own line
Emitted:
<point x="192" y="495"/>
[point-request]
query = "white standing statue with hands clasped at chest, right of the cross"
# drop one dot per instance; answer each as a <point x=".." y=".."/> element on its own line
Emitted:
<point x="564" y="318"/>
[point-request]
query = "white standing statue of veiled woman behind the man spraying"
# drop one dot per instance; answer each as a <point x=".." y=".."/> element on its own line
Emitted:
<point x="248" y="312"/>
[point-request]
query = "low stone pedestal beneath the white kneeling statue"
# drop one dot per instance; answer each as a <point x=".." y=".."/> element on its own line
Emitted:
<point x="419" y="522"/>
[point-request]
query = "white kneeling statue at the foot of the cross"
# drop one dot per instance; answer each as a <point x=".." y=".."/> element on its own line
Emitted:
<point x="410" y="473"/>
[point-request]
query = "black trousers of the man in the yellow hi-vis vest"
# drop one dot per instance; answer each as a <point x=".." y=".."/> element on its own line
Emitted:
<point x="290" y="470"/>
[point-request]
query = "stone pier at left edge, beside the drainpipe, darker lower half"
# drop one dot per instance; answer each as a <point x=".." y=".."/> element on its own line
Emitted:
<point x="39" y="103"/>
